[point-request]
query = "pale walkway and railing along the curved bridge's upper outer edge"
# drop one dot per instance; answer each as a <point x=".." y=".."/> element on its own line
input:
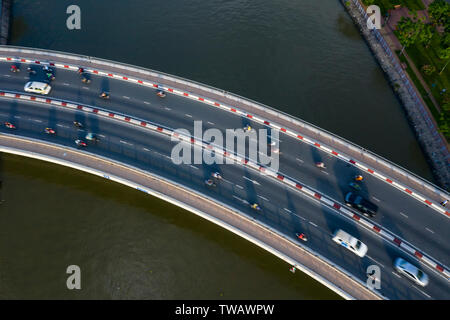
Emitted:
<point x="83" y="60"/>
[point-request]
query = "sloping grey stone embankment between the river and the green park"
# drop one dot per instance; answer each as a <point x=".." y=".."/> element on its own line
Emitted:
<point x="432" y="142"/>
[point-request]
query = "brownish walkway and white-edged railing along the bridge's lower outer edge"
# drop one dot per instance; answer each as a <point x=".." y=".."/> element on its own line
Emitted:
<point x="104" y="173"/>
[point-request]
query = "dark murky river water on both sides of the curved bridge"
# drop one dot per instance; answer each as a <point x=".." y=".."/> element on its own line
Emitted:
<point x="304" y="57"/>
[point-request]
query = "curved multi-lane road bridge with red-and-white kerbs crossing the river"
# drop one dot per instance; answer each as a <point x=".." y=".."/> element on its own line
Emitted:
<point x="135" y="128"/>
